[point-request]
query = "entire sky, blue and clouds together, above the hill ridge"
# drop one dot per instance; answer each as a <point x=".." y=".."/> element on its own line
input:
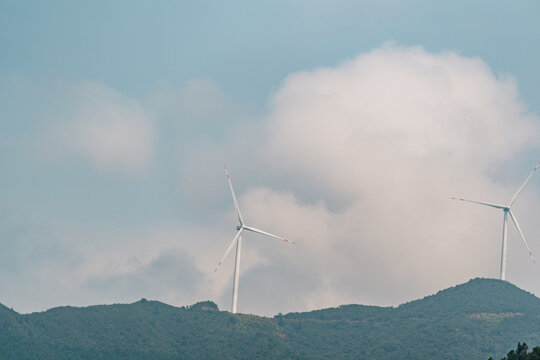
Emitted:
<point x="346" y="126"/>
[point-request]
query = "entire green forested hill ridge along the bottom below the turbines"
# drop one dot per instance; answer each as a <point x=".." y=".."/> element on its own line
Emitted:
<point x="476" y="320"/>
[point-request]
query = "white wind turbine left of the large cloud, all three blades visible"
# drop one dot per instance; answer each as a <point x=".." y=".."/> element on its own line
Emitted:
<point x="238" y="241"/>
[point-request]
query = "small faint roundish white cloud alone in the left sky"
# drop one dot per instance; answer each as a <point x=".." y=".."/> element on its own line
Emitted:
<point x="106" y="128"/>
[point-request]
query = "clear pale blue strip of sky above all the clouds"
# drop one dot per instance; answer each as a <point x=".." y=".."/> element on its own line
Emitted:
<point x="132" y="45"/>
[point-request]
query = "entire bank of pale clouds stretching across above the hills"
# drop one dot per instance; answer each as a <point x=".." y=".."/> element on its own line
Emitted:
<point x="356" y="163"/>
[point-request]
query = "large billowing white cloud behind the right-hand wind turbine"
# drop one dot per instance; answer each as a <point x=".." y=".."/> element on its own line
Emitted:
<point x="379" y="144"/>
